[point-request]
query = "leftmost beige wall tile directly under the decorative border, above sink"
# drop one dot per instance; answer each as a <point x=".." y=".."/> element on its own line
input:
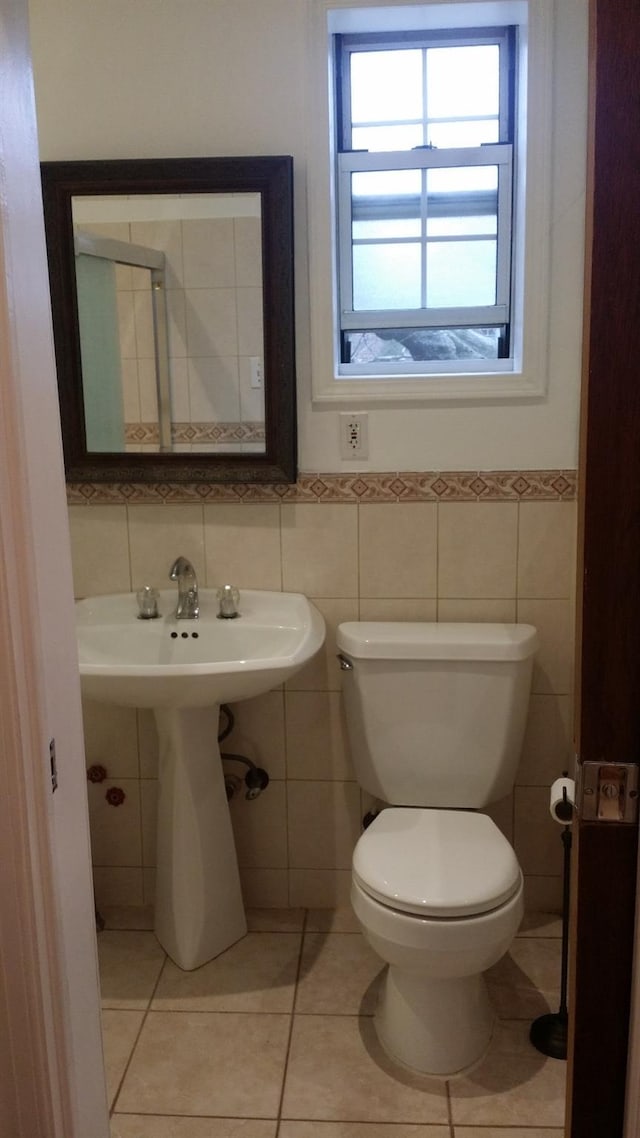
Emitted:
<point x="100" y="550"/>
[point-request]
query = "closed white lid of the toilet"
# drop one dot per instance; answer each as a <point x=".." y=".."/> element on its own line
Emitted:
<point x="436" y="863"/>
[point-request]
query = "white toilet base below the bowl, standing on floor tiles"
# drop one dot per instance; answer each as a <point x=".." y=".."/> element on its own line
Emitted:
<point x="434" y="1027"/>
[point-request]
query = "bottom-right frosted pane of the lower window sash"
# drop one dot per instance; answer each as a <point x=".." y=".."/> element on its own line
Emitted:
<point x="461" y="274"/>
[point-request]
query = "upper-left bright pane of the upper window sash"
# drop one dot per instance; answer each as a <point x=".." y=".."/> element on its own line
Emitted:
<point x="387" y="86"/>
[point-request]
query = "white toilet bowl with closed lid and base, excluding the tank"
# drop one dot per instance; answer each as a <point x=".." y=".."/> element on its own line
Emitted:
<point x="439" y="896"/>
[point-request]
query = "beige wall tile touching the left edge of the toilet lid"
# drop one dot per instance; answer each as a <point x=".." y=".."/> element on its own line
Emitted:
<point x="324" y="824"/>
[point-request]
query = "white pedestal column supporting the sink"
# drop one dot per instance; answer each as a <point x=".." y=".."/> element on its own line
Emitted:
<point x="200" y="909"/>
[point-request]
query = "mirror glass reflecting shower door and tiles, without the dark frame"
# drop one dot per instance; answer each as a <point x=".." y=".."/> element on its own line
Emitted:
<point x="170" y="304"/>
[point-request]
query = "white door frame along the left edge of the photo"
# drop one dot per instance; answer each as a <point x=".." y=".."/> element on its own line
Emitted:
<point x="52" y="1070"/>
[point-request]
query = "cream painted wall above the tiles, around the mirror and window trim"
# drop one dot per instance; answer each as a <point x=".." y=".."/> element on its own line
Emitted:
<point x="234" y="77"/>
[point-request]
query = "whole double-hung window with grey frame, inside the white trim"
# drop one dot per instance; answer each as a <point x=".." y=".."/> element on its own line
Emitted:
<point x="425" y="134"/>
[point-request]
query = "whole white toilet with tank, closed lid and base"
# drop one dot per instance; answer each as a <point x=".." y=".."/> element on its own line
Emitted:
<point x="436" y="718"/>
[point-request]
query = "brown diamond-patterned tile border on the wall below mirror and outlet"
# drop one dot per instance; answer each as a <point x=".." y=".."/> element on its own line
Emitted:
<point x="425" y="486"/>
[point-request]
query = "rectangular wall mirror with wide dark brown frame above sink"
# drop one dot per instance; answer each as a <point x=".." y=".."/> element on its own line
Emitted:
<point x="173" y="296"/>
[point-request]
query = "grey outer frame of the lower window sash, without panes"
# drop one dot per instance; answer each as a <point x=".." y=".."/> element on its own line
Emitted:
<point x="499" y="155"/>
